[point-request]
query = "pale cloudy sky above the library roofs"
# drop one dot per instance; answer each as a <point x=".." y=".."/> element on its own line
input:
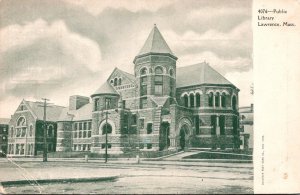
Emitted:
<point x="59" y="48"/>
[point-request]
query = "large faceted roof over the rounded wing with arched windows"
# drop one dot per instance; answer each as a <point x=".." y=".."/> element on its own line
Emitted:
<point x="198" y="74"/>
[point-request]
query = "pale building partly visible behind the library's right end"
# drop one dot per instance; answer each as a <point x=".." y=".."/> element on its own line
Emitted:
<point x="246" y="126"/>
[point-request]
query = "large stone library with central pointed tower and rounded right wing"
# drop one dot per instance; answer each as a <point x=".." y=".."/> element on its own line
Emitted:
<point x="158" y="107"/>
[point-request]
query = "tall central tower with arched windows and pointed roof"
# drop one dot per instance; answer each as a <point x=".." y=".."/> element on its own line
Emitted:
<point x="155" y="68"/>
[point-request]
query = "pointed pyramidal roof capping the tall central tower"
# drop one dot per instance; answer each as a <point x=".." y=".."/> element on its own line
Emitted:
<point x="155" y="43"/>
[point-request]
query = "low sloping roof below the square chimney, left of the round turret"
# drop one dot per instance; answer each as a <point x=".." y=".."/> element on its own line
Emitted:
<point x="83" y="113"/>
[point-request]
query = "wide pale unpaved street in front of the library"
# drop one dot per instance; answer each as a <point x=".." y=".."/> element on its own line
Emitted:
<point x="147" y="177"/>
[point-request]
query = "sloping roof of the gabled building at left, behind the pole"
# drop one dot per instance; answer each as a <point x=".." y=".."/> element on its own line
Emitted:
<point x="52" y="111"/>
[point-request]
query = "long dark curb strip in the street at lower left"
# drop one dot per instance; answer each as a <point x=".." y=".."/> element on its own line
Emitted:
<point x="64" y="180"/>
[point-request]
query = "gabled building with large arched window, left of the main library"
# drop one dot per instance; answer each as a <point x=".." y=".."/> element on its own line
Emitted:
<point x="26" y="128"/>
